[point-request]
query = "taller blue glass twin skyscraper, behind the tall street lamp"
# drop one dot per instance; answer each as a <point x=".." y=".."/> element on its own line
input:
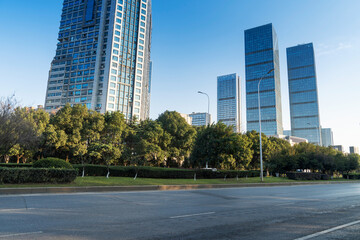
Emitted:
<point x="262" y="55"/>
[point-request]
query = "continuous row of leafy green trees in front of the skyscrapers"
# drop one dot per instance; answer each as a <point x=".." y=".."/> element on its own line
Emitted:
<point x="80" y="136"/>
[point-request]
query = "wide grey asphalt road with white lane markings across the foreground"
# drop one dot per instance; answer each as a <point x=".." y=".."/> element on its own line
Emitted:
<point x="289" y="212"/>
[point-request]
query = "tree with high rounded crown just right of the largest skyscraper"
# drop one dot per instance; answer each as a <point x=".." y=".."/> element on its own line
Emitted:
<point x="182" y="136"/>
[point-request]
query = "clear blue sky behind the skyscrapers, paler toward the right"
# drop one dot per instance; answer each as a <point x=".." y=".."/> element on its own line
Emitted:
<point x="194" y="41"/>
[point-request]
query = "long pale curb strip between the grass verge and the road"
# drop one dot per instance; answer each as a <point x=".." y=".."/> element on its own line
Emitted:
<point x="94" y="189"/>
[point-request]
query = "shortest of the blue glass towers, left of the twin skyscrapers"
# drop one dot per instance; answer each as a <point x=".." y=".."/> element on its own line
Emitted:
<point x="228" y="101"/>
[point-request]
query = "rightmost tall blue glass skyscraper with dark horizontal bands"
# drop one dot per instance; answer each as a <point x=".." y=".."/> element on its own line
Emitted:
<point x="304" y="105"/>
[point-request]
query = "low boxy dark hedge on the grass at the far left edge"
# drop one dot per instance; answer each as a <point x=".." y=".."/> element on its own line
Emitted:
<point x="36" y="175"/>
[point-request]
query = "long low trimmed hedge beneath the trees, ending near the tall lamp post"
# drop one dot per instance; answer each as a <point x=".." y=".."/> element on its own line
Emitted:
<point x="156" y="172"/>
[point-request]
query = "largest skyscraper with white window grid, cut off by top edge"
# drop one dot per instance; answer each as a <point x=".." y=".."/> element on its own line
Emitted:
<point x="103" y="57"/>
